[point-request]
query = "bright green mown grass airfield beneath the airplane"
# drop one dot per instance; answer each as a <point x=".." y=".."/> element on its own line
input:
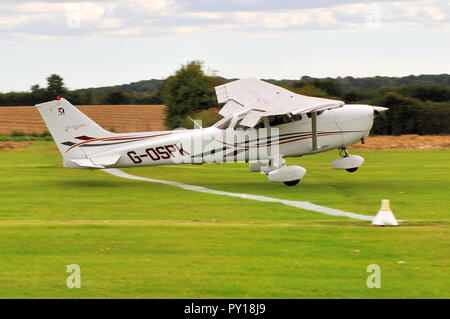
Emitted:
<point x="137" y="239"/>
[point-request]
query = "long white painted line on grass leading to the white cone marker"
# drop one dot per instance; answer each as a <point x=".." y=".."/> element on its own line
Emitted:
<point x="303" y="205"/>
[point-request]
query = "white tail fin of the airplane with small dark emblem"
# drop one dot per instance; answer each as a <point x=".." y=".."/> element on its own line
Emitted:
<point x="70" y="127"/>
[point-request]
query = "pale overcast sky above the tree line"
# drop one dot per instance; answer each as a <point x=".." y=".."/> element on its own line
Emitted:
<point x="114" y="42"/>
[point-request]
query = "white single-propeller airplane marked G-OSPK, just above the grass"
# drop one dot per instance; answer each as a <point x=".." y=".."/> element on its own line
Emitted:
<point x="262" y="123"/>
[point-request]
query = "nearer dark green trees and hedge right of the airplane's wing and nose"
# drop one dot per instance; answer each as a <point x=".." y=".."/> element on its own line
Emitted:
<point x="413" y="108"/>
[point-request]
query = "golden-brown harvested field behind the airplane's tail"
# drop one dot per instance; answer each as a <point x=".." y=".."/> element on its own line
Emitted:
<point x="120" y="118"/>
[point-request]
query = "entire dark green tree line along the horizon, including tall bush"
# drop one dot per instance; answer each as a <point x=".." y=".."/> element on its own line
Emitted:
<point x="417" y="104"/>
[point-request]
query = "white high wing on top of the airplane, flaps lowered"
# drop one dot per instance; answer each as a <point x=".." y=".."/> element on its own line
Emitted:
<point x="258" y="99"/>
